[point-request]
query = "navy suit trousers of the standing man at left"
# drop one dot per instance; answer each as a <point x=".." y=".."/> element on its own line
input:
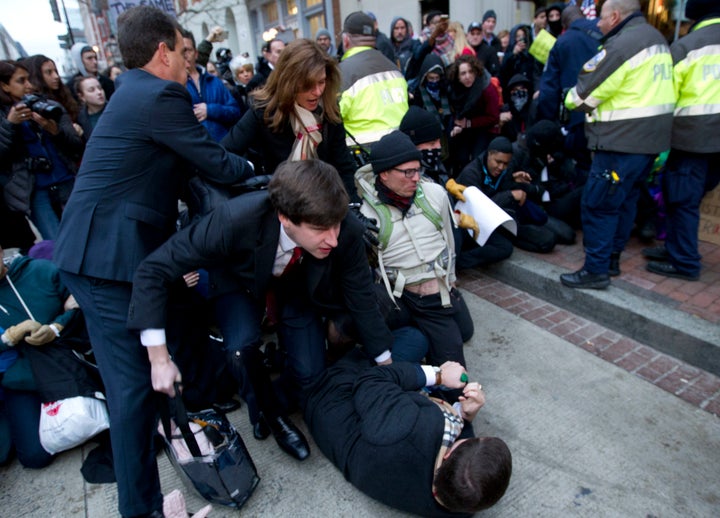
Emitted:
<point x="125" y="371"/>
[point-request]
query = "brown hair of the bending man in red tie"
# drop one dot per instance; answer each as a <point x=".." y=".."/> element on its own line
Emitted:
<point x="309" y="191"/>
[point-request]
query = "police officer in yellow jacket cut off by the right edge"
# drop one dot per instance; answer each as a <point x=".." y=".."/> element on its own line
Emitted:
<point x="693" y="166"/>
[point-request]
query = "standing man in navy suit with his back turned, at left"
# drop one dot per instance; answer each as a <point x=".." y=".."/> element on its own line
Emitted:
<point x="123" y="206"/>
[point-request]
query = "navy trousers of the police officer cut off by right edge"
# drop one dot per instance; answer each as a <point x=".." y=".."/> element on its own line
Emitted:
<point x="687" y="178"/>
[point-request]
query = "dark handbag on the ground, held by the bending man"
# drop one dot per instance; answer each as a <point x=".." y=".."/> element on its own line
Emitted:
<point x="223" y="472"/>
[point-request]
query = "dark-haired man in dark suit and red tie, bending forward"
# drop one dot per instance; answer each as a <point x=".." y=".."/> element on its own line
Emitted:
<point x="254" y="237"/>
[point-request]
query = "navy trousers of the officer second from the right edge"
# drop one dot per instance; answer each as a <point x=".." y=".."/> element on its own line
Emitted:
<point x="608" y="211"/>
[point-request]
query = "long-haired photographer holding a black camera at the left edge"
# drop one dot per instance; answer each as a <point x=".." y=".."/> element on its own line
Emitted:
<point x="38" y="150"/>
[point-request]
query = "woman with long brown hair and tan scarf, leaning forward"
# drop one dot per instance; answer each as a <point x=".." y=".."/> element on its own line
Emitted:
<point x="295" y="115"/>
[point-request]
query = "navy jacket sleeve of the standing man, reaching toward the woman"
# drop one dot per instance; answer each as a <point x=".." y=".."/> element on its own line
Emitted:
<point x="179" y="130"/>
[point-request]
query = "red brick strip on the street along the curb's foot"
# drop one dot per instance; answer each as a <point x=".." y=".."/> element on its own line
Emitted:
<point x="689" y="383"/>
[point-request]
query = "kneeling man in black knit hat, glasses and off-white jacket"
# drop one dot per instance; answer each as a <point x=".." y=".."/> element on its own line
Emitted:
<point x="416" y="251"/>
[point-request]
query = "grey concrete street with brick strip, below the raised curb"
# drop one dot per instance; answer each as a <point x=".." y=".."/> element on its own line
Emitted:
<point x="592" y="431"/>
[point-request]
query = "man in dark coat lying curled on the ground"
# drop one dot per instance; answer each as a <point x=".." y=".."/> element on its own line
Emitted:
<point x="397" y="445"/>
